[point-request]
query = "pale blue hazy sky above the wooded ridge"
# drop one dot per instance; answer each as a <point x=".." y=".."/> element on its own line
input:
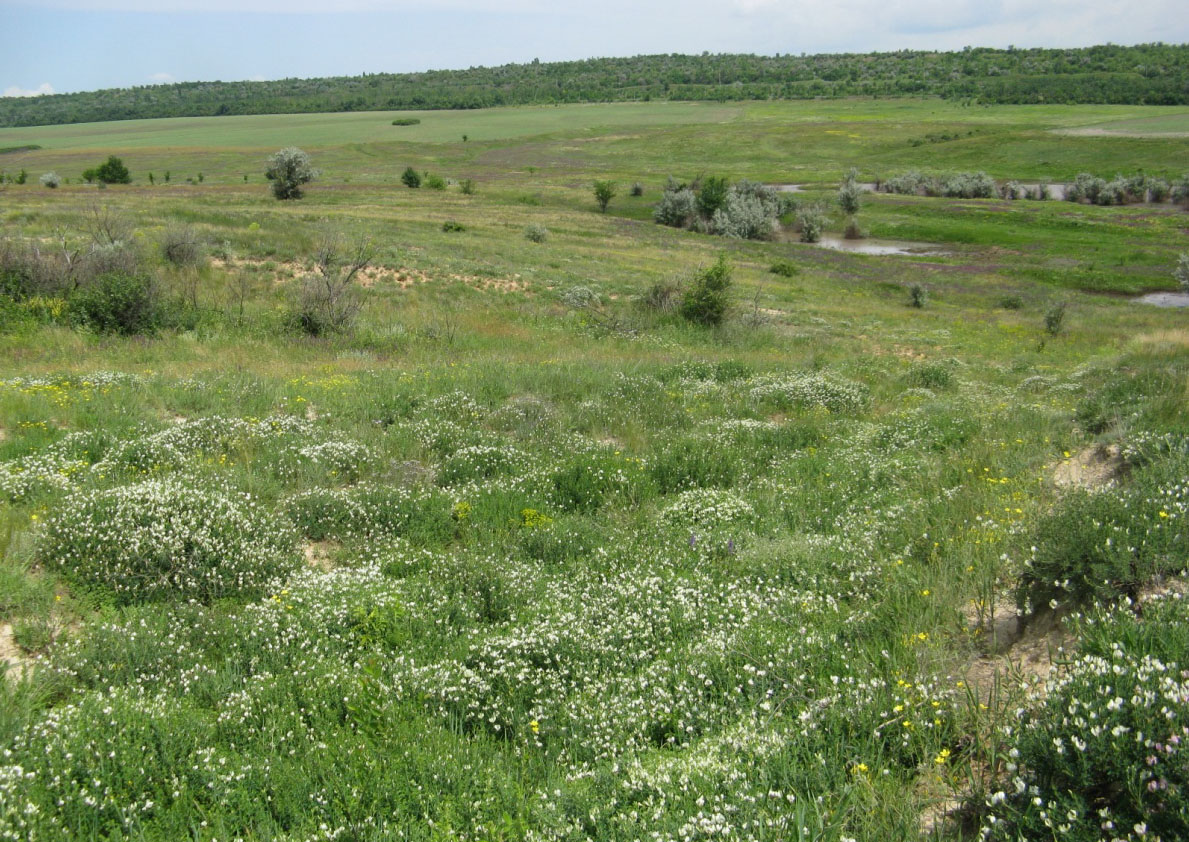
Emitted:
<point x="67" y="46"/>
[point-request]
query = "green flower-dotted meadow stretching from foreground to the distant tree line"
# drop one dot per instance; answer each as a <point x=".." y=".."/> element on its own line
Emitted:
<point x="894" y="552"/>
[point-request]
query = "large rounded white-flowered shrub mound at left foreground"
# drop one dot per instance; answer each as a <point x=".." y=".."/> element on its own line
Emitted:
<point x="163" y="541"/>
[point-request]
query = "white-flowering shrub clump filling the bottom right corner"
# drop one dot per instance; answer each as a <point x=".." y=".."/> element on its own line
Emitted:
<point x="1102" y="753"/>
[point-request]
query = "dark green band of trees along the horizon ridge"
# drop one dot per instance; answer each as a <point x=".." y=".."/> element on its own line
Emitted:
<point x="1147" y="74"/>
